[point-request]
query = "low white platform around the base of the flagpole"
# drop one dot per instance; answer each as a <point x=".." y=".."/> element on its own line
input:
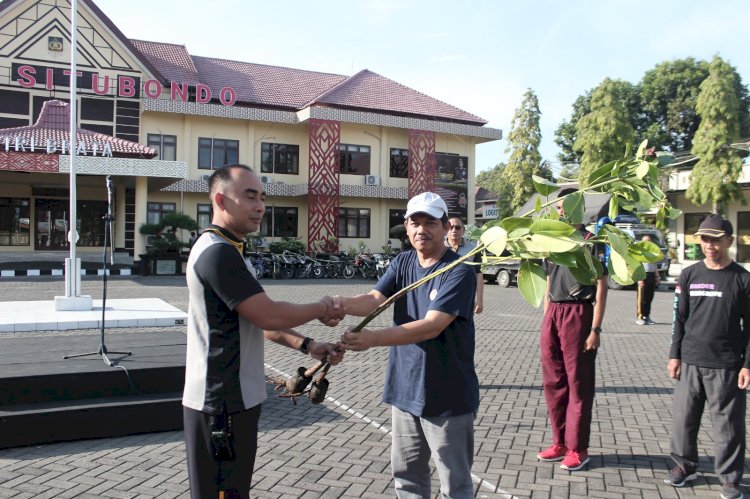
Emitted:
<point x="18" y="316"/>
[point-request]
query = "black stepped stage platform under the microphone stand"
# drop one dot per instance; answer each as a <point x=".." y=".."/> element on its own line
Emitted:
<point x="45" y="398"/>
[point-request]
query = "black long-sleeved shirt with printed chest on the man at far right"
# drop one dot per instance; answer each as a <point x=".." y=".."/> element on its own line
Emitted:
<point x="710" y="309"/>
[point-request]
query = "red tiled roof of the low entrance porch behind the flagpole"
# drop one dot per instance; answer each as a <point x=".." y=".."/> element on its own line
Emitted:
<point x="54" y="124"/>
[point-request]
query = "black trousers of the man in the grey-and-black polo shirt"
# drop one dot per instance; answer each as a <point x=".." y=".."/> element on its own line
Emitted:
<point x="207" y="475"/>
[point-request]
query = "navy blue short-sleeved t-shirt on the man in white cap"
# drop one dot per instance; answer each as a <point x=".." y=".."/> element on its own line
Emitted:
<point x="434" y="377"/>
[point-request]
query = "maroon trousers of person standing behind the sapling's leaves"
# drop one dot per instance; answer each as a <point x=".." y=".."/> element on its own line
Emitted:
<point x="568" y="373"/>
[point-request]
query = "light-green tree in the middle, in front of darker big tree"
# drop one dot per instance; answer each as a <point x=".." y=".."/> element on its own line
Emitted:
<point x="602" y="132"/>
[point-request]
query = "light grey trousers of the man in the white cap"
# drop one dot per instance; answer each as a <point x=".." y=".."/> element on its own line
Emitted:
<point x="450" y="440"/>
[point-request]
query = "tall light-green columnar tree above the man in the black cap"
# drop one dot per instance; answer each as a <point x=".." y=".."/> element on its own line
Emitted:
<point x="714" y="177"/>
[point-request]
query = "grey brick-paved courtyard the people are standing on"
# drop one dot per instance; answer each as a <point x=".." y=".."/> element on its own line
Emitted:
<point x="340" y="448"/>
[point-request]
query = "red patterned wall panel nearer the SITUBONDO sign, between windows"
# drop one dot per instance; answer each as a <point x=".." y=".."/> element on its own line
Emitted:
<point x="323" y="184"/>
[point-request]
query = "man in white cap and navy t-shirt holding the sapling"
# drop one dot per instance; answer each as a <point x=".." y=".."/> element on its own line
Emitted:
<point x="430" y="382"/>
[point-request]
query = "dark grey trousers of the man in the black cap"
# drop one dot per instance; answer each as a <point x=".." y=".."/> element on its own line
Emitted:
<point x="726" y="407"/>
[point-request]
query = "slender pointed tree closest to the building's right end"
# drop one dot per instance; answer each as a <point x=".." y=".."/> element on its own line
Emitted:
<point x="523" y="144"/>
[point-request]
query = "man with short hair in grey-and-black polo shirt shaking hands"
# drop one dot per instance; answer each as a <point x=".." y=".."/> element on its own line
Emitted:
<point x="228" y="311"/>
